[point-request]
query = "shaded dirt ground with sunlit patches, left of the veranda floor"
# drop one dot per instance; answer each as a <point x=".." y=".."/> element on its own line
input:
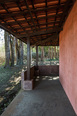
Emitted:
<point x="9" y="84"/>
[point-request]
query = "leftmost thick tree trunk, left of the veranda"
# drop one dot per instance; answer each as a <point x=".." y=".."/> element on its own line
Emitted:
<point x="7" y="49"/>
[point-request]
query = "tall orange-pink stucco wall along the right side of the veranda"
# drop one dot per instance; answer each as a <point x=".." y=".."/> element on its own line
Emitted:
<point x="68" y="57"/>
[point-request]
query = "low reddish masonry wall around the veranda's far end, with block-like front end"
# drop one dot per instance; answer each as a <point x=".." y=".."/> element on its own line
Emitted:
<point x="37" y="71"/>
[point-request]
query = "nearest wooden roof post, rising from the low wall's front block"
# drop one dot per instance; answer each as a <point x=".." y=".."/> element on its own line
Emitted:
<point x="28" y="58"/>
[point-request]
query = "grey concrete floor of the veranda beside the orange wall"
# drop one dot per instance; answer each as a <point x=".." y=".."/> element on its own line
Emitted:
<point x="47" y="99"/>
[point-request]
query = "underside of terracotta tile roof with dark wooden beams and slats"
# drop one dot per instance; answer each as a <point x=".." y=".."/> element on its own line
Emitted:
<point x="36" y="19"/>
